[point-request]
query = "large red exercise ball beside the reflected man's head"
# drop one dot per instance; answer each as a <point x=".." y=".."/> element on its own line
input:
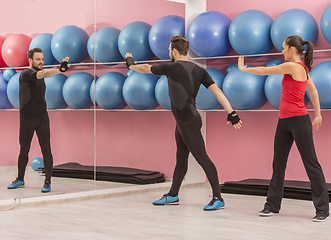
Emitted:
<point x="14" y="50"/>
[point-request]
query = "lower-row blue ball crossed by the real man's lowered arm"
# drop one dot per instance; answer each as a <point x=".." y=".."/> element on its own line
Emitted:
<point x="205" y="99"/>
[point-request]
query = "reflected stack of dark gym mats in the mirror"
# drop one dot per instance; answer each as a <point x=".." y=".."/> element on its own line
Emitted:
<point x="106" y="173"/>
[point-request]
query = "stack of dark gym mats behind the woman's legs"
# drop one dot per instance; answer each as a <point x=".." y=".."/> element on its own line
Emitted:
<point x="292" y="189"/>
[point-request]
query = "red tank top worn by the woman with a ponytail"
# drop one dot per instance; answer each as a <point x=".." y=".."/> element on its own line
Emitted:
<point x="292" y="97"/>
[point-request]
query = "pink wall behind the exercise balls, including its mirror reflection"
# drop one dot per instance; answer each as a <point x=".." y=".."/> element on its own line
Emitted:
<point x="145" y="139"/>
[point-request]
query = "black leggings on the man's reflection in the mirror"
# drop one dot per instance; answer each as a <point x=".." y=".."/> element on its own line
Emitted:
<point x="27" y="128"/>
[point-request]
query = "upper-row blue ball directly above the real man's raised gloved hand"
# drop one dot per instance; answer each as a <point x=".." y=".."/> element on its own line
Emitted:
<point x="134" y="39"/>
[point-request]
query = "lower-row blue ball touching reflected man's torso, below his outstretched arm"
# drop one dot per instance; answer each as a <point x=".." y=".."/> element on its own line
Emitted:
<point x="54" y="88"/>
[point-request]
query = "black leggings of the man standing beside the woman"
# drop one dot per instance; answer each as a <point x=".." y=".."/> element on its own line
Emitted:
<point x="189" y="139"/>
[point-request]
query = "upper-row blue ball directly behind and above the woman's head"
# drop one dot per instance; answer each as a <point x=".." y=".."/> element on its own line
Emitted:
<point x="293" y="22"/>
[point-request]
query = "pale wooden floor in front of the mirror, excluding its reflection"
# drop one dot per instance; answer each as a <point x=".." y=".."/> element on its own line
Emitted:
<point x="132" y="216"/>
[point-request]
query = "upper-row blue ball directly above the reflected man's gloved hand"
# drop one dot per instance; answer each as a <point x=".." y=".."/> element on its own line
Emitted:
<point x="70" y="41"/>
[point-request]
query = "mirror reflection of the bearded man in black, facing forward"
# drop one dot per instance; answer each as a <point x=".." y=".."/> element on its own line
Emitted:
<point x="34" y="116"/>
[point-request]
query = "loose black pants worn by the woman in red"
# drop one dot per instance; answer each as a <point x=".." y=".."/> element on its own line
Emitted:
<point x="298" y="129"/>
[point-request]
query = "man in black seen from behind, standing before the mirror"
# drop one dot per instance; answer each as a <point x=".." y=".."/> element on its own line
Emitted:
<point x="184" y="80"/>
